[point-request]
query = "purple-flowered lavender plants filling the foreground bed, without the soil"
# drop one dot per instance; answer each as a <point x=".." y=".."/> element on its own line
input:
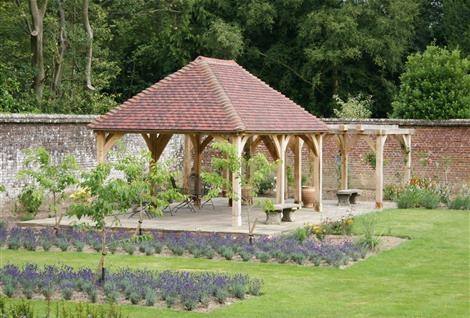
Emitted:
<point x="189" y="287"/>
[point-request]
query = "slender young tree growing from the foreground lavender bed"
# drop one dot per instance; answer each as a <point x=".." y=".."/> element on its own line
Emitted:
<point x="100" y="196"/>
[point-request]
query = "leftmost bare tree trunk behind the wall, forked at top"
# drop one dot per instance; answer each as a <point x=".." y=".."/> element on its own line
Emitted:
<point x="37" y="40"/>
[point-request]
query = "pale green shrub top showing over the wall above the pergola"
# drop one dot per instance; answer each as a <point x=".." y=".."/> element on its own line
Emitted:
<point x="354" y="107"/>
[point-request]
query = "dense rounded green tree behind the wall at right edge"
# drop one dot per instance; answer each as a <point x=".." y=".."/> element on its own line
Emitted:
<point x="435" y="85"/>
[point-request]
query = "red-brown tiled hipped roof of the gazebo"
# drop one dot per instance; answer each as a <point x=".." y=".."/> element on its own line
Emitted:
<point x="213" y="96"/>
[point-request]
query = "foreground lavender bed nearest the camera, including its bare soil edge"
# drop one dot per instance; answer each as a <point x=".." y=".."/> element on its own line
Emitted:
<point x="188" y="290"/>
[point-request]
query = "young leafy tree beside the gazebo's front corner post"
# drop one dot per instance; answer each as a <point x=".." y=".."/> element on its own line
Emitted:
<point x="252" y="171"/>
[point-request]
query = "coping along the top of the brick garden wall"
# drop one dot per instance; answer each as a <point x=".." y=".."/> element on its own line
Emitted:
<point x="86" y="119"/>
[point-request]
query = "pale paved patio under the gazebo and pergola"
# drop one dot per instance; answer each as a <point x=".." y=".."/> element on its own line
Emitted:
<point x="208" y="219"/>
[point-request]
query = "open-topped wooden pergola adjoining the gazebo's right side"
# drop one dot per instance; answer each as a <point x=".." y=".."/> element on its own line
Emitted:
<point x="375" y="136"/>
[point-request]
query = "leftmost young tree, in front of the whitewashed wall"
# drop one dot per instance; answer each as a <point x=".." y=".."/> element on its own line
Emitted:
<point x="53" y="178"/>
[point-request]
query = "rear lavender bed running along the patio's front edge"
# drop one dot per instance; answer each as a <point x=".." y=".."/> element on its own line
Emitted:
<point x="282" y="249"/>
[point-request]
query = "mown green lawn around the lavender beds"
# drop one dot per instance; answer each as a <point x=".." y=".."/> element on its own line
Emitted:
<point x="427" y="276"/>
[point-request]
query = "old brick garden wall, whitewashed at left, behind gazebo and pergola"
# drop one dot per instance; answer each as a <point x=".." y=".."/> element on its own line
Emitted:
<point x="444" y="147"/>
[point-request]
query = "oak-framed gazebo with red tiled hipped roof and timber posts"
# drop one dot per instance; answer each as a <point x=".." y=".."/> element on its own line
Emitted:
<point x="213" y="99"/>
